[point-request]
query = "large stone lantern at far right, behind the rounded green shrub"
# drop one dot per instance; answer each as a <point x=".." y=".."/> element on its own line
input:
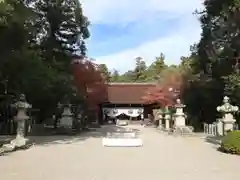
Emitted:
<point x="227" y="110"/>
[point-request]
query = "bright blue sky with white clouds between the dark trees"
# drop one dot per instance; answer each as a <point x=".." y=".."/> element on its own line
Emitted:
<point x="123" y="30"/>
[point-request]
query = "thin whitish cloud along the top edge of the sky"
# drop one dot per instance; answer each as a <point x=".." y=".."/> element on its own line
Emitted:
<point x="125" y="11"/>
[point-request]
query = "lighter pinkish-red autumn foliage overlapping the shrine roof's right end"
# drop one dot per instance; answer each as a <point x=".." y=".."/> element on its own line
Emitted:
<point x="166" y="92"/>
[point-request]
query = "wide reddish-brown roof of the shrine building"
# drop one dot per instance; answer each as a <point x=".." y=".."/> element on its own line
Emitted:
<point x="127" y="93"/>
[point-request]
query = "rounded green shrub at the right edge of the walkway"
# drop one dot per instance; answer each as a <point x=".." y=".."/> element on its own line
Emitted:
<point x="231" y="143"/>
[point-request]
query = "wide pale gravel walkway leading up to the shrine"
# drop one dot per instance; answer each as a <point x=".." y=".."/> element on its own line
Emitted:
<point x="162" y="157"/>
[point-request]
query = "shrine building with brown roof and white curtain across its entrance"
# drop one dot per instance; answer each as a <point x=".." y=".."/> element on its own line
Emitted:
<point x="124" y="101"/>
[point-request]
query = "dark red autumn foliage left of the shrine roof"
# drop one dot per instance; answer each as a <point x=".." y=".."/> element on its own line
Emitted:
<point x="89" y="82"/>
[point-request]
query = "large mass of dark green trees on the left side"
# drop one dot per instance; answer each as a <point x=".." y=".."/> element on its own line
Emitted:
<point x="41" y="38"/>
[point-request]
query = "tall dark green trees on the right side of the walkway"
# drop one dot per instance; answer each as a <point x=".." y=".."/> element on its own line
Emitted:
<point x="215" y="69"/>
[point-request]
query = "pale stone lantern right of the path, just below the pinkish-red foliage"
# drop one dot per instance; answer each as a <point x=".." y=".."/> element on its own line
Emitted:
<point x="179" y="116"/>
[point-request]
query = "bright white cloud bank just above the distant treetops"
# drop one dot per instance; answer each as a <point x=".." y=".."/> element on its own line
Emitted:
<point x="173" y="46"/>
